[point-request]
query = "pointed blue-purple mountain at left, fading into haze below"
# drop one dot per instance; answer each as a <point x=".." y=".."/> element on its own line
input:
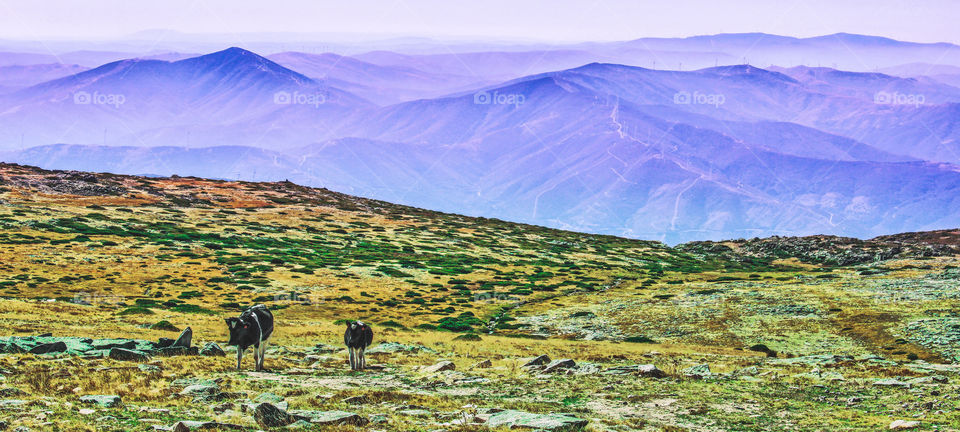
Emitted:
<point x="160" y="102"/>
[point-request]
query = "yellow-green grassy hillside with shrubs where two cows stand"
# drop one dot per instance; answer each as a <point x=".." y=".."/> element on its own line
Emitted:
<point x="795" y="334"/>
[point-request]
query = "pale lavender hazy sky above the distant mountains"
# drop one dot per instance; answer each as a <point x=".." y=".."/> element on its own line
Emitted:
<point x="549" y="20"/>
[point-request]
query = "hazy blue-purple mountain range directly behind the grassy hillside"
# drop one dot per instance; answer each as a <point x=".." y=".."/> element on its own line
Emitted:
<point x="719" y="152"/>
